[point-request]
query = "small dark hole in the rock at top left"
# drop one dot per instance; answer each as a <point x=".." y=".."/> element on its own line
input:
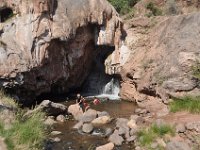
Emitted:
<point x="5" y="14"/>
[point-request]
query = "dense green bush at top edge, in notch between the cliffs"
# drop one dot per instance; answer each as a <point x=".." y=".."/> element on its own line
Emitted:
<point x="123" y="6"/>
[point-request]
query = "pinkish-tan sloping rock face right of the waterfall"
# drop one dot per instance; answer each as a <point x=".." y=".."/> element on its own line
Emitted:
<point x="164" y="58"/>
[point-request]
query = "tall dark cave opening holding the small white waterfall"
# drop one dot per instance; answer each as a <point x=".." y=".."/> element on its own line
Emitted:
<point x="98" y="83"/>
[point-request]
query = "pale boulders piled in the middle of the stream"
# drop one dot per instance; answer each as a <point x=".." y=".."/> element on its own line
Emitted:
<point x="124" y="130"/>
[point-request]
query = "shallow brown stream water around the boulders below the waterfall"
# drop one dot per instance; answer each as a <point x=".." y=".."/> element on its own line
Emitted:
<point x="74" y="140"/>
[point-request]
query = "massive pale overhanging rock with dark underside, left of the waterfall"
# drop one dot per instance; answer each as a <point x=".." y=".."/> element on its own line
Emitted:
<point x="48" y="45"/>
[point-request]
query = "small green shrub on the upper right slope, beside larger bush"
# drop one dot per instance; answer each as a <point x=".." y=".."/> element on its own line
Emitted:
<point x="155" y="11"/>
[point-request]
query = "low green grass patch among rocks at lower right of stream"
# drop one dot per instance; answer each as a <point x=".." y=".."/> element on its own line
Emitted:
<point x="147" y="136"/>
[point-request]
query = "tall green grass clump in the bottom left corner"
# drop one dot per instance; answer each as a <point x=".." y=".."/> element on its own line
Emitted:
<point x="25" y="133"/>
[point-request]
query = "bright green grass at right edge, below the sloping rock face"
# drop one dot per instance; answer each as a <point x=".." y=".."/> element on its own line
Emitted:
<point x="186" y="103"/>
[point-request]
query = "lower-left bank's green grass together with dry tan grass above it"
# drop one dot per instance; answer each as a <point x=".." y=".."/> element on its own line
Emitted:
<point x="24" y="132"/>
